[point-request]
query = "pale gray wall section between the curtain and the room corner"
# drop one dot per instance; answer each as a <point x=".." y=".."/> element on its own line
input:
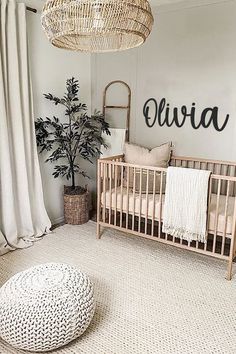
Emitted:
<point x="50" y="68"/>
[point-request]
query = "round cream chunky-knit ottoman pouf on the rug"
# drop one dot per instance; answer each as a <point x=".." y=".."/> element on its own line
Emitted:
<point x="45" y="307"/>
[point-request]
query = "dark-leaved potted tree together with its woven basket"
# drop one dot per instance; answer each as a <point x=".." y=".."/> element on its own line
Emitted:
<point x="78" y="137"/>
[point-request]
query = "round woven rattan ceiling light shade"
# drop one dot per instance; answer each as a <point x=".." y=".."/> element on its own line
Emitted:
<point x="97" y="25"/>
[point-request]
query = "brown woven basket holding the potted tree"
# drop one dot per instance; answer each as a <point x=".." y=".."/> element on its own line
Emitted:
<point x="76" y="208"/>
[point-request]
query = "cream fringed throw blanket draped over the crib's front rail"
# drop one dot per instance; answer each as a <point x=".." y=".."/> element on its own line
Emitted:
<point x="185" y="208"/>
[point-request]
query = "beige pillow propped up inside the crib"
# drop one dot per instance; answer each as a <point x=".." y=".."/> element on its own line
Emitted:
<point x="138" y="155"/>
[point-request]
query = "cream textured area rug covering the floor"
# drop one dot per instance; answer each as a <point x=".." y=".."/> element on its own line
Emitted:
<point x="151" y="298"/>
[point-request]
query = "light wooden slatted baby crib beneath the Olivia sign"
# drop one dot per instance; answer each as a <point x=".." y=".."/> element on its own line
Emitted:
<point x="138" y="213"/>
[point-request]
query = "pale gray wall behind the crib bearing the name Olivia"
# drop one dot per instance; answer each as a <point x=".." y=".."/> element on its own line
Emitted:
<point x="189" y="57"/>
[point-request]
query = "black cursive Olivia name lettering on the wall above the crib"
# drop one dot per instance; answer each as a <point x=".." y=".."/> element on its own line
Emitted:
<point x="164" y="115"/>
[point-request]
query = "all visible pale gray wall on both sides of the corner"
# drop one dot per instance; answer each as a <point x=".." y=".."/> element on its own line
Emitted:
<point x="190" y="55"/>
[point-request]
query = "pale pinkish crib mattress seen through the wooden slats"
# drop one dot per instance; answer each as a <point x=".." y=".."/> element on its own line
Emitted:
<point x="150" y="207"/>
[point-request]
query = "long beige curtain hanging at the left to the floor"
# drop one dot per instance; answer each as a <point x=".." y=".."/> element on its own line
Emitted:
<point x="23" y="218"/>
